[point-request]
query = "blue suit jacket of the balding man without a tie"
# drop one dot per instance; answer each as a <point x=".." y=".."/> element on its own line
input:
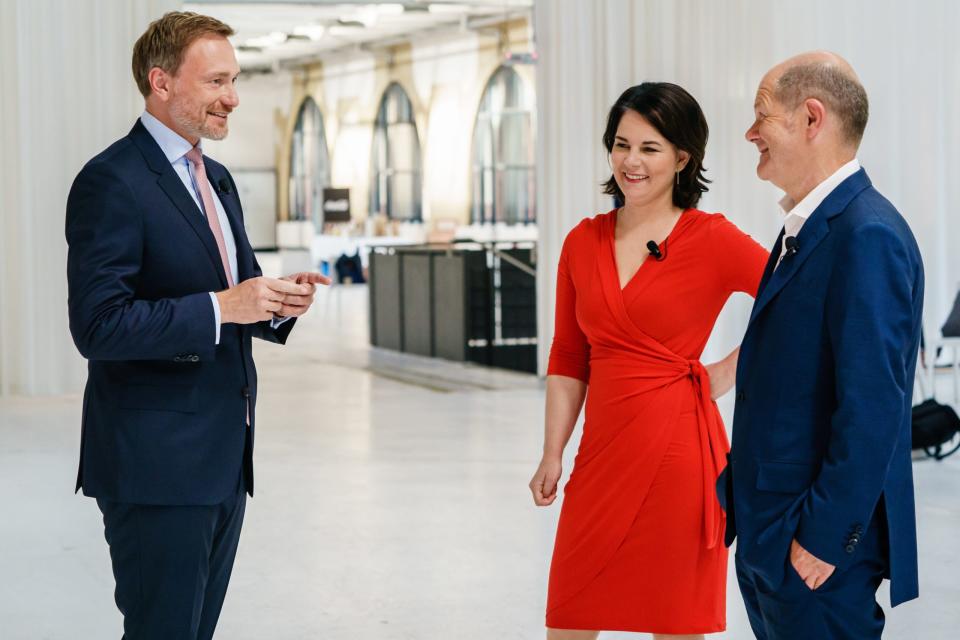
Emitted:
<point x="821" y="430"/>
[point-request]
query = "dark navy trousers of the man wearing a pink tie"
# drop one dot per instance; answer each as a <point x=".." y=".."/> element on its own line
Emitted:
<point x="172" y="565"/>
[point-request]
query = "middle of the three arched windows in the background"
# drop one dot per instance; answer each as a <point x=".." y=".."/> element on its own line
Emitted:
<point x="395" y="189"/>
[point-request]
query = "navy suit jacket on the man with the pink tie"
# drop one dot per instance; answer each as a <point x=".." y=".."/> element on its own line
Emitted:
<point x="164" y="410"/>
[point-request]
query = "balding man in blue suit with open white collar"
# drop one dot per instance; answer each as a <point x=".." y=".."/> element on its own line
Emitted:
<point x="819" y="485"/>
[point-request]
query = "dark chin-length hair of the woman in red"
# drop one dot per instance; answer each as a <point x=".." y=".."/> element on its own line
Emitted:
<point x="678" y="117"/>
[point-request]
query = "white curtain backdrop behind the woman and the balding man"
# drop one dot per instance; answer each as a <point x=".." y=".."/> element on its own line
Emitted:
<point x="905" y="53"/>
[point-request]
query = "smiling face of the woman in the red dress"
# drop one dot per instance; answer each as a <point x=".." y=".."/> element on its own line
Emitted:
<point x="644" y="163"/>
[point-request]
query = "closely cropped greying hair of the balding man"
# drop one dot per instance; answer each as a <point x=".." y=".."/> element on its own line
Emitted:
<point x="840" y="92"/>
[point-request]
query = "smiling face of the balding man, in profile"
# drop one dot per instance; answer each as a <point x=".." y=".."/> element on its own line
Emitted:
<point x="778" y="135"/>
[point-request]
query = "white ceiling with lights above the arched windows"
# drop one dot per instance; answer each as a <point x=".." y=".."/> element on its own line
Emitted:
<point x="274" y="33"/>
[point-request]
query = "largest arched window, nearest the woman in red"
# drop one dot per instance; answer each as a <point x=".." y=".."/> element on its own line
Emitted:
<point x="503" y="154"/>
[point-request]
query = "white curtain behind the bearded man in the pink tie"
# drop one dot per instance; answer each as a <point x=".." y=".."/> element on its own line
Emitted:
<point x="66" y="92"/>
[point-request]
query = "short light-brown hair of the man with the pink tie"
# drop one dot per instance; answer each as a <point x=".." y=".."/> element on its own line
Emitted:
<point x="165" y="41"/>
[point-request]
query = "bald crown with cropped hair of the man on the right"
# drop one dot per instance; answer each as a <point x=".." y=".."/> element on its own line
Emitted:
<point x="826" y="77"/>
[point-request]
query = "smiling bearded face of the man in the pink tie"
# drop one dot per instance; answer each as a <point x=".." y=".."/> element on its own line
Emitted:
<point x="200" y="97"/>
